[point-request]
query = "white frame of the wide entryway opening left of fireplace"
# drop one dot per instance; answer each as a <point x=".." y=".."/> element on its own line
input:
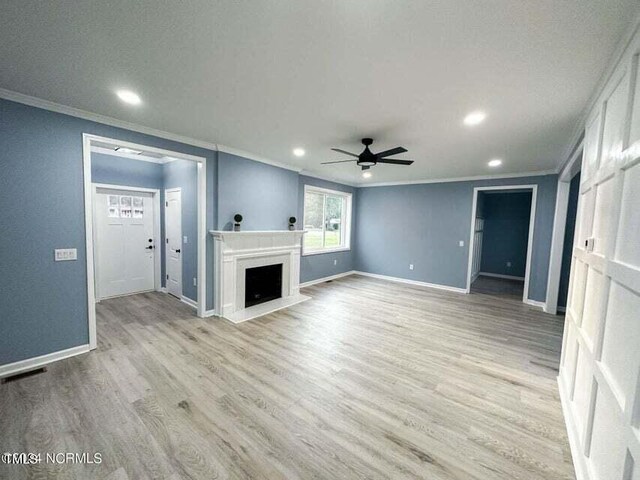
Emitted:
<point x="87" y="140"/>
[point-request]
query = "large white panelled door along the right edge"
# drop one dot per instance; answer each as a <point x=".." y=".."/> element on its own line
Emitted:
<point x="600" y="367"/>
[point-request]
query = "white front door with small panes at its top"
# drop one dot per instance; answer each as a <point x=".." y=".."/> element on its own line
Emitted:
<point x="124" y="242"/>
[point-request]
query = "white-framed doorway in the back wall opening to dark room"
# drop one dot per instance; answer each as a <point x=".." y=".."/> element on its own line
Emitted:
<point x="502" y="227"/>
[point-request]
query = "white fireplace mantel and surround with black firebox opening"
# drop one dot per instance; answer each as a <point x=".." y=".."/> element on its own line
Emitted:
<point x="234" y="252"/>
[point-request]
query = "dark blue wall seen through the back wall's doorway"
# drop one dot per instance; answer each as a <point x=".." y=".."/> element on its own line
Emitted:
<point x="506" y="233"/>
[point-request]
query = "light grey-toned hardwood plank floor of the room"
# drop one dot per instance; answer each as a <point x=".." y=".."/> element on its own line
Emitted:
<point x="369" y="379"/>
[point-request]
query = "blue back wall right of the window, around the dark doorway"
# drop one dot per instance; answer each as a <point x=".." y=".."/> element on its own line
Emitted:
<point x="422" y="224"/>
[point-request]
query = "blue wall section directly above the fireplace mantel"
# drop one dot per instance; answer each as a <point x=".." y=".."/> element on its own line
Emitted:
<point x="266" y="196"/>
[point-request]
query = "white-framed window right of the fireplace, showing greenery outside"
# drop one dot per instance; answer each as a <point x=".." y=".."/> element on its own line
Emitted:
<point x="327" y="220"/>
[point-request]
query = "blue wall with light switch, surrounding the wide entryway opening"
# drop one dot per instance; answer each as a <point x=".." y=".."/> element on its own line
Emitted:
<point x="43" y="304"/>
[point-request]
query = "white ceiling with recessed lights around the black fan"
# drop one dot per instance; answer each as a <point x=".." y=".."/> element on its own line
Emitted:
<point x="266" y="76"/>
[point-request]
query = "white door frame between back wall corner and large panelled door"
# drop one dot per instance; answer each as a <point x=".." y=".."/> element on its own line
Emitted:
<point x="571" y="168"/>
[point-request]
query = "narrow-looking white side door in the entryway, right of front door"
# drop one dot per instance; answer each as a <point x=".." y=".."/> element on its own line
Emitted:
<point x="173" y="226"/>
